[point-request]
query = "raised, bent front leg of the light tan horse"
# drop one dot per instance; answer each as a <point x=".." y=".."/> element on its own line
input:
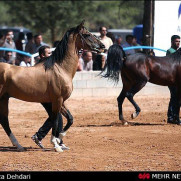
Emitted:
<point x="66" y="113"/>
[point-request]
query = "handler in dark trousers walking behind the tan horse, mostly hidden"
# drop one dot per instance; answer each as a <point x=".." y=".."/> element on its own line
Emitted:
<point x="44" y="51"/>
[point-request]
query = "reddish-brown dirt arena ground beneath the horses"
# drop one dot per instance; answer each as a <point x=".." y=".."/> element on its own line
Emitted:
<point x="97" y="140"/>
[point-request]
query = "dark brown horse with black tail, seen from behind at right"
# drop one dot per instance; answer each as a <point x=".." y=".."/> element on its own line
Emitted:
<point x="138" y="69"/>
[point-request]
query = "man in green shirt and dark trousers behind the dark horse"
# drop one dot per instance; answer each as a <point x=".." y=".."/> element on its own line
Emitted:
<point x="174" y="106"/>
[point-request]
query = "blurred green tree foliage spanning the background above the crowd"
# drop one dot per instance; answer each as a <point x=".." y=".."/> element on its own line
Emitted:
<point x="52" y="18"/>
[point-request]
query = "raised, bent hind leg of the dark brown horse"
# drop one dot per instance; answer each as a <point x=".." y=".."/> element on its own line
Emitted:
<point x="130" y="94"/>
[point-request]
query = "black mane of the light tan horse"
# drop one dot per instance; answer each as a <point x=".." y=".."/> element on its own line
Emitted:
<point x="59" y="53"/>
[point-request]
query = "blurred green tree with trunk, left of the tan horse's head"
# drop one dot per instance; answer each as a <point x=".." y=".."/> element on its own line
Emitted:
<point x="47" y="16"/>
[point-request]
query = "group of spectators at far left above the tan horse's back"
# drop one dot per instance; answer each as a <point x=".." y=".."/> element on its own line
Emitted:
<point x="31" y="45"/>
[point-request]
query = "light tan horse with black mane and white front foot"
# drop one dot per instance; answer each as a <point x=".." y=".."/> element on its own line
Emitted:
<point x="49" y="81"/>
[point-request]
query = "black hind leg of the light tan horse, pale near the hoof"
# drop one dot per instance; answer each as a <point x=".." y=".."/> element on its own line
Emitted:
<point x="5" y="122"/>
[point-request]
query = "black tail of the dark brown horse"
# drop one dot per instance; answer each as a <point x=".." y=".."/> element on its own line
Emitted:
<point x="114" y="62"/>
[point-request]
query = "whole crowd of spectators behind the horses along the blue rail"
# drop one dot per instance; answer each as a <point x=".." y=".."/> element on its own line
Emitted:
<point x="88" y="61"/>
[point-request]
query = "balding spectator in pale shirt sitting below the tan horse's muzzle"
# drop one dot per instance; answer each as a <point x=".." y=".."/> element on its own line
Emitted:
<point x="86" y="62"/>
